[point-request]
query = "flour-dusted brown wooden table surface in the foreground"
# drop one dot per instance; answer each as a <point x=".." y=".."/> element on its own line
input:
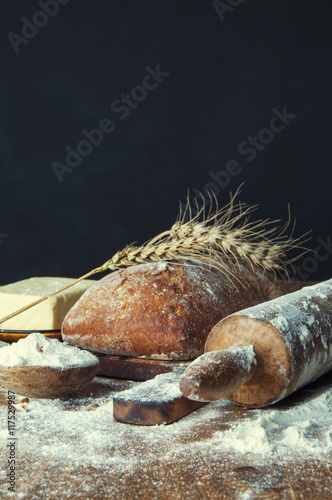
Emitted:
<point x="73" y="448"/>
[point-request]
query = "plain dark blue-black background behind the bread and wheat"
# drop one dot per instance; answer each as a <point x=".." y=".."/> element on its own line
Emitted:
<point x="225" y="78"/>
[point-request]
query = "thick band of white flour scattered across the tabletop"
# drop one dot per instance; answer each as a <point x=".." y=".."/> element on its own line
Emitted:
<point x="303" y="427"/>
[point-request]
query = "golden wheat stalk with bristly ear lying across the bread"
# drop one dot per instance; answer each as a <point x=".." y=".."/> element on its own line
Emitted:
<point x="219" y="238"/>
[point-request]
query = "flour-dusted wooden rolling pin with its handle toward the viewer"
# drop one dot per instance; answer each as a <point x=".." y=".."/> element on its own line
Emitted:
<point x="259" y="355"/>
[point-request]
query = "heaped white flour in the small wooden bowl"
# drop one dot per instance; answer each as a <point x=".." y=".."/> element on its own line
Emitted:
<point x="38" y="350"/>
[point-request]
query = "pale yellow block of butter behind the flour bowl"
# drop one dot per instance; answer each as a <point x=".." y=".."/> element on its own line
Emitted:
<point x="49" y="314"/>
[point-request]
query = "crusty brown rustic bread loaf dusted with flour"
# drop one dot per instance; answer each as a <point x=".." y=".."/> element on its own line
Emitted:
<point x="161" y="310"/>
